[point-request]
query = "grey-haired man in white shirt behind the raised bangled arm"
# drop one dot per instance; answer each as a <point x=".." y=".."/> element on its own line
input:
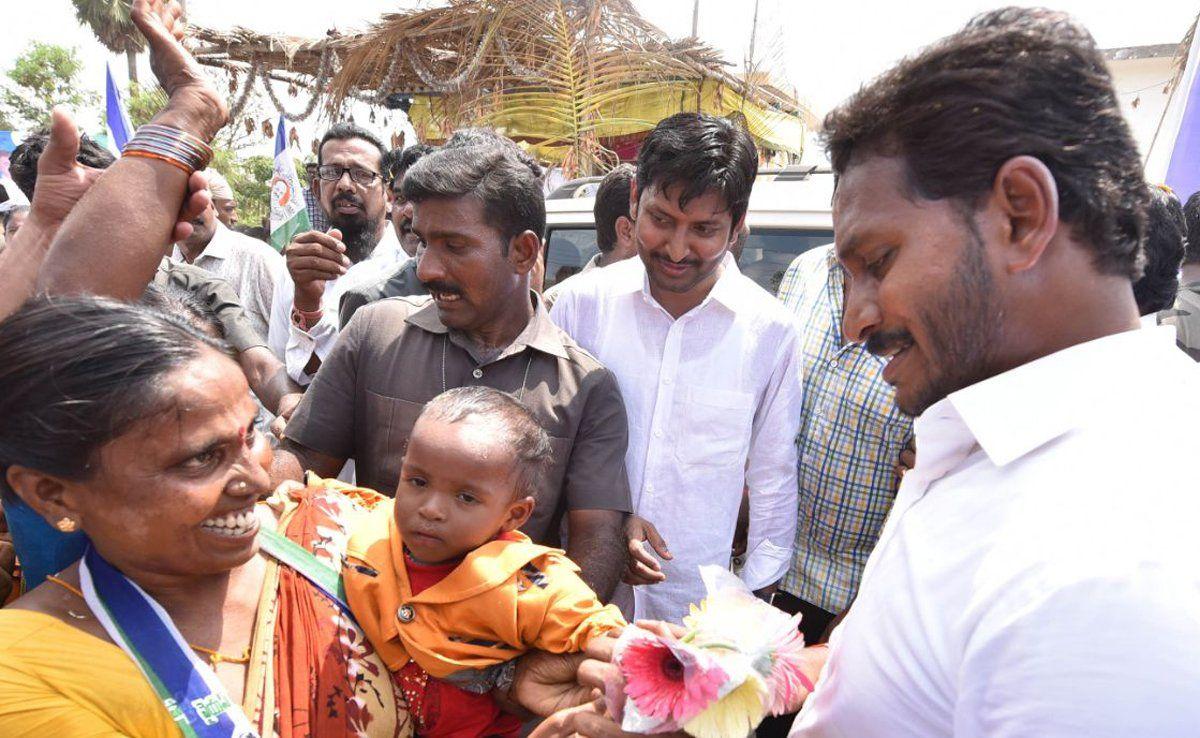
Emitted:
<point x="251" y="267"/>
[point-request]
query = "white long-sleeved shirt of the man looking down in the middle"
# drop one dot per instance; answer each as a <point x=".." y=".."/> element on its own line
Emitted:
<point x="713" y="401"/>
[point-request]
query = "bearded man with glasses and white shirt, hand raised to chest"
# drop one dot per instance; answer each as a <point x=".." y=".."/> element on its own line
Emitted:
<point x="358" y="249"/>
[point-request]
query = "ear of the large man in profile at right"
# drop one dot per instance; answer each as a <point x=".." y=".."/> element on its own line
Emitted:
<point x="1025" y="197"/>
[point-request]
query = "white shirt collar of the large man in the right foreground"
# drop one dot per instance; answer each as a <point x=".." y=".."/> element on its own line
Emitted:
<point x="1027" y="407"/>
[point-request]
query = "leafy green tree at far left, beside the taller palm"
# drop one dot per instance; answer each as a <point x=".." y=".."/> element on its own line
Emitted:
<point x="43" y="77"/>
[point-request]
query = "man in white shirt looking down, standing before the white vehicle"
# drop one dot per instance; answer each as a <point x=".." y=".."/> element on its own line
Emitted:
<point x="707" y="362"/>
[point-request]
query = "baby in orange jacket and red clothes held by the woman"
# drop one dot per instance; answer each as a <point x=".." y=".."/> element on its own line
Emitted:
<point x="447" y="589"/>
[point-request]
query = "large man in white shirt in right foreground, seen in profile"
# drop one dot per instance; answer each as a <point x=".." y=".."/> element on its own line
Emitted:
<point x="1040" y="573"/>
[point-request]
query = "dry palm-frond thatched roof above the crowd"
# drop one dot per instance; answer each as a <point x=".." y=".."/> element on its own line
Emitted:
<point x="578" y="67"/>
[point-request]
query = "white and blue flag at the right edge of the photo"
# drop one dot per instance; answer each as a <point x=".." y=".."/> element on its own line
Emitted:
<point x="1174" y="157"/>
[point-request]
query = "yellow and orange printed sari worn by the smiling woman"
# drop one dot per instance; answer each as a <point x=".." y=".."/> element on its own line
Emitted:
<point x="311" y="671"/>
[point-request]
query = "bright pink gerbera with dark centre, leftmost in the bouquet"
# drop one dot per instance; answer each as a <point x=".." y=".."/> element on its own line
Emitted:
<point x="669" y="681"/>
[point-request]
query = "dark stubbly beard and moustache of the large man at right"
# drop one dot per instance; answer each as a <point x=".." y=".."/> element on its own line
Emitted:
<point x="963" y="323"/>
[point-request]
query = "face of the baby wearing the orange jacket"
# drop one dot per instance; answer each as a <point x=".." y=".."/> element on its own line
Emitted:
<point x="457" y="489"/>
